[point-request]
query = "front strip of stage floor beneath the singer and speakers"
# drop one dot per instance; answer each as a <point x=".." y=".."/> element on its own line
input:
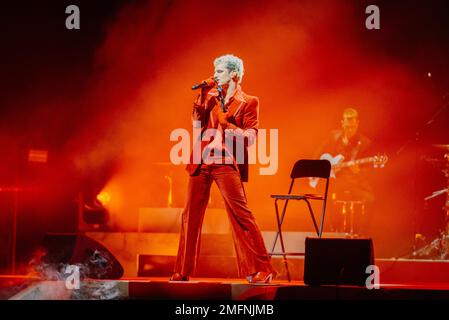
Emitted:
<point x="23" y="288"/>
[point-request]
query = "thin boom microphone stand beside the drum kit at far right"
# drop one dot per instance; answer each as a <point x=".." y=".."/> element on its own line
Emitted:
<point x="417" y="136"/>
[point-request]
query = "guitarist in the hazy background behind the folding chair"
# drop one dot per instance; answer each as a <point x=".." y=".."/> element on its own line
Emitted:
<point x="351" y="182"/>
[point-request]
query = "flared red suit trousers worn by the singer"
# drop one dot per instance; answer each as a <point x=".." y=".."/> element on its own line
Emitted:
<point x="250" y="249"/>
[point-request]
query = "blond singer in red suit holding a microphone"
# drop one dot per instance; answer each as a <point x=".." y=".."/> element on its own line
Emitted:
<point x="224" y="106"/>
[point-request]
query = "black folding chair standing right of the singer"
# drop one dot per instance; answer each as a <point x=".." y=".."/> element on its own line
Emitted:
<point x="302" y="169"/>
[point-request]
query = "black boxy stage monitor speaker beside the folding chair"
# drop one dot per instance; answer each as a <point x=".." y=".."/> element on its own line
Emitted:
<point x="337" y="261"/>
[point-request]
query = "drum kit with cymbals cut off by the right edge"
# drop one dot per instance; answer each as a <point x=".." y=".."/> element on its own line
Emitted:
<point x="439" y="248"/>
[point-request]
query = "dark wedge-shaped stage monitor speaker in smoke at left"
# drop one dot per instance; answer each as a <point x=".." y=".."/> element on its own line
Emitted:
<point x="94" y="260"/>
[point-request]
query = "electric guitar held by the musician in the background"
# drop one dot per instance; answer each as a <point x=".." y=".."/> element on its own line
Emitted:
<point x="337" y="163"/>
